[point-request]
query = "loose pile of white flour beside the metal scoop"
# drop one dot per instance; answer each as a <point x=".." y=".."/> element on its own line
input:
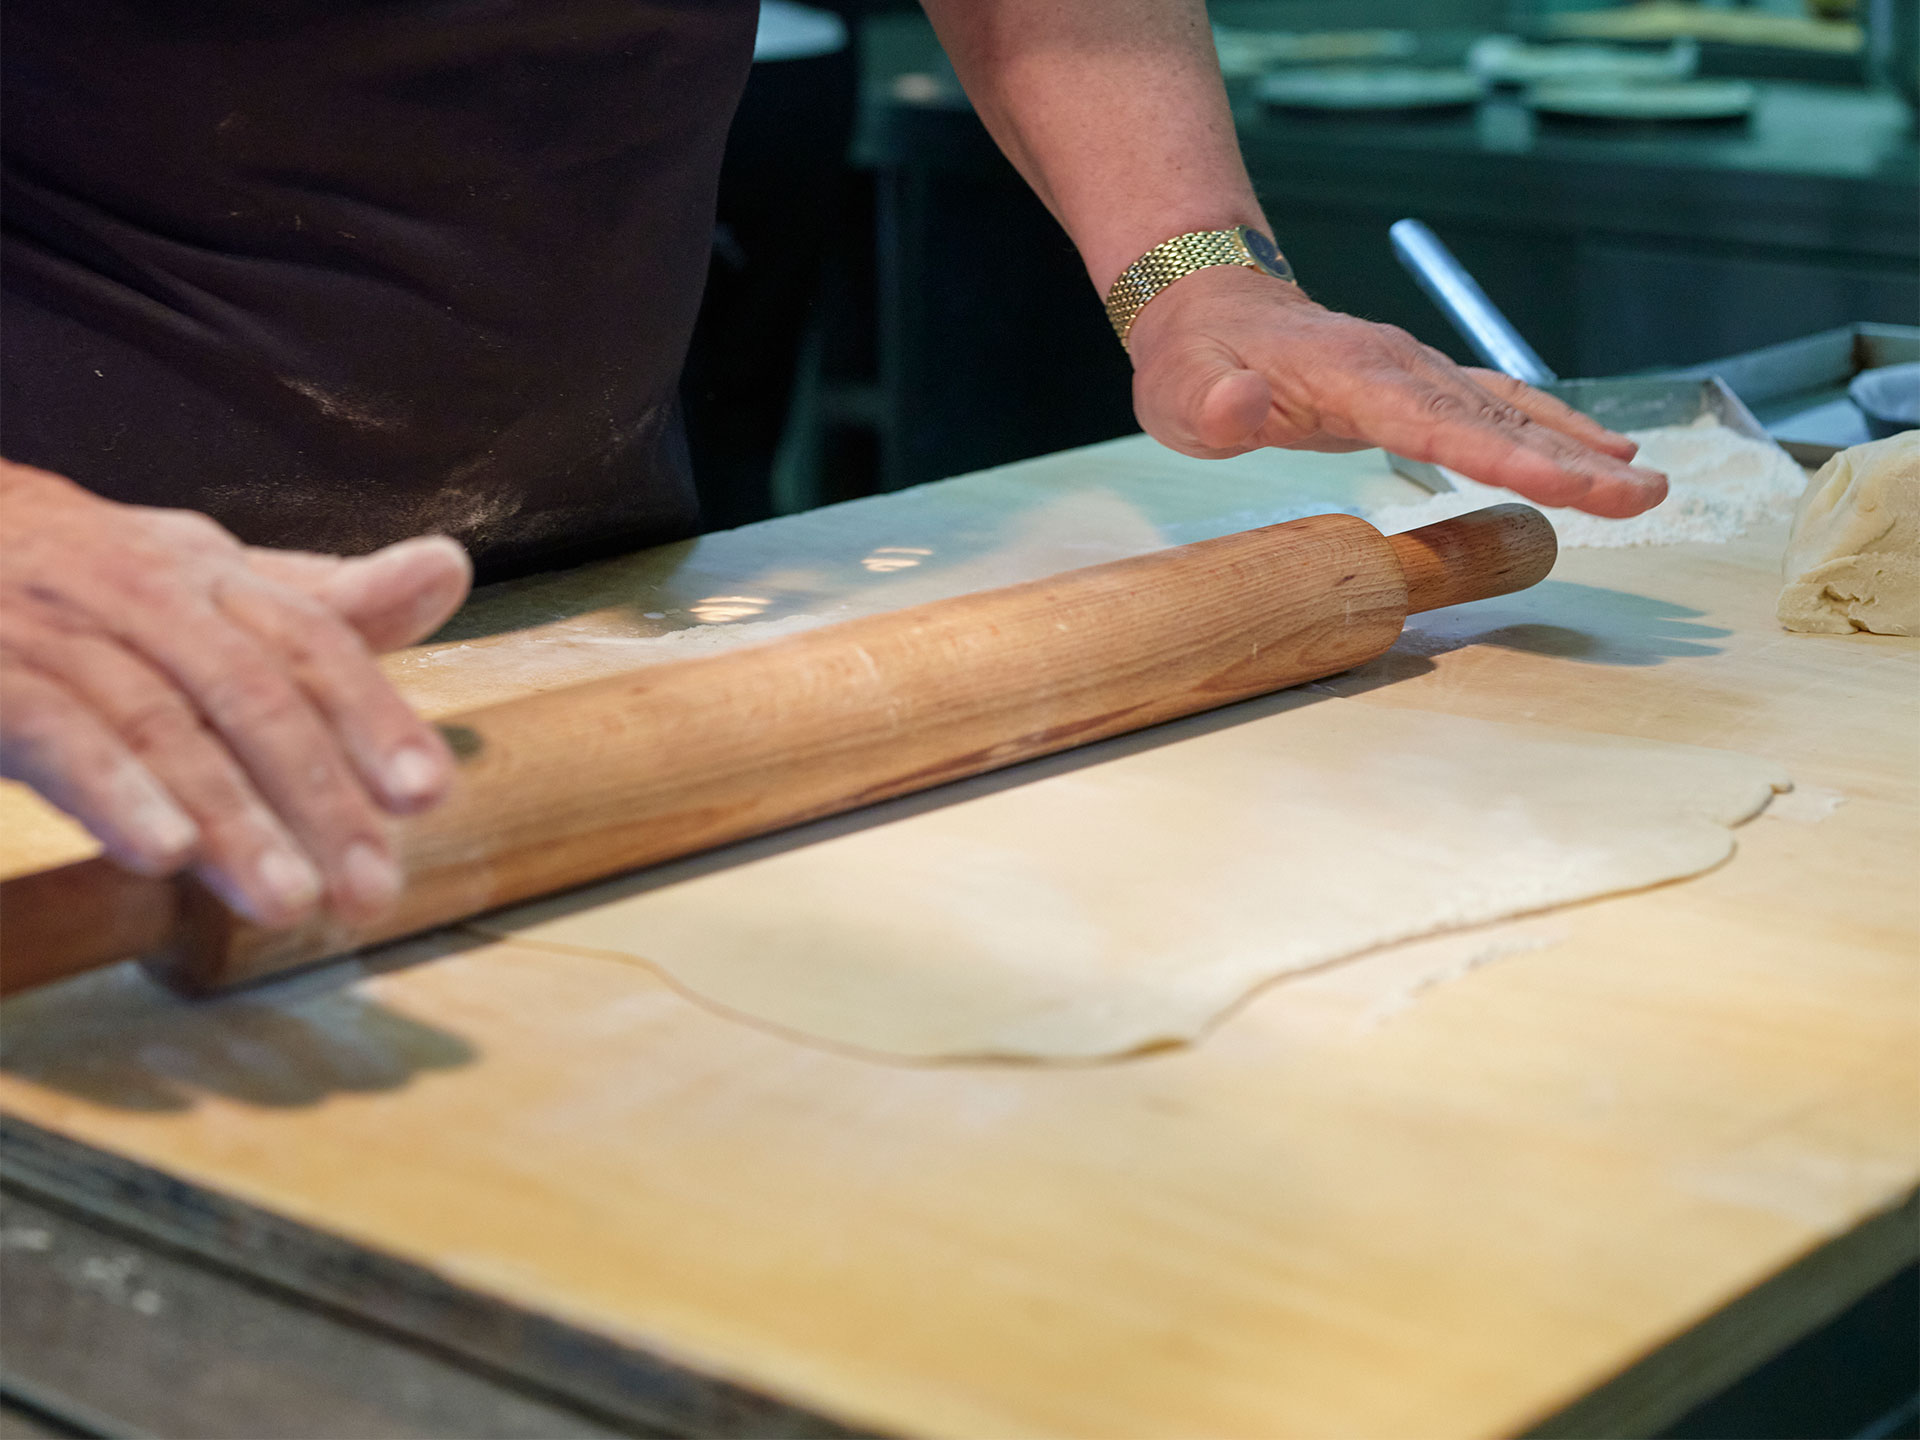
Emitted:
<point x="1721" y="487"/>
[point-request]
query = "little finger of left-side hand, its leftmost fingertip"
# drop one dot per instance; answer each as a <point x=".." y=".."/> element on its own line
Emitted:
<point x="57" y="746"/>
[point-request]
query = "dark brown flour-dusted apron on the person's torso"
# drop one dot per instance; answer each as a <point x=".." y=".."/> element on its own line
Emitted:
<point x="341" y="274"/>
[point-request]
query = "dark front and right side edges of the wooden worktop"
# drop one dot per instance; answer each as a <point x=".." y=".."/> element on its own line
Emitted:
<point x="654" y="1391"/>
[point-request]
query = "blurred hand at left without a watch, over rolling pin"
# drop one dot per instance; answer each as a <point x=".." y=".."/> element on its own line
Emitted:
<point x="204" y="706"/>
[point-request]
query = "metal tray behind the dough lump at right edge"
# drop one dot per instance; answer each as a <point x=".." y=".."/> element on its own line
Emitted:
<point x="1800" y="387"/>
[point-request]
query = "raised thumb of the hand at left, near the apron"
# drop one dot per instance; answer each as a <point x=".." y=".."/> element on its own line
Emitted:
<point x="393" y="598"/>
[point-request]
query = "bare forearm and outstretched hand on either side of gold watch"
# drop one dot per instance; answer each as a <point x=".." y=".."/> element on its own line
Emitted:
<point x="1116" y="114"/>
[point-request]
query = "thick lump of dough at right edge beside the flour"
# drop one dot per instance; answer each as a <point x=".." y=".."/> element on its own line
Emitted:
<point x="1854" y="562"/>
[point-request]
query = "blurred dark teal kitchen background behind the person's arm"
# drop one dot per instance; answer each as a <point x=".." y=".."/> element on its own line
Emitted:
<point x="1641" y="187"/>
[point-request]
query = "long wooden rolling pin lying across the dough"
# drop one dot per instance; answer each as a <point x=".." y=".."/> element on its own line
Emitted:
<point x="577" y="784"/>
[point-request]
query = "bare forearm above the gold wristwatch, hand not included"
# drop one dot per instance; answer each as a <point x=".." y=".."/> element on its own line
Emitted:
<point x="1113" y="110"/>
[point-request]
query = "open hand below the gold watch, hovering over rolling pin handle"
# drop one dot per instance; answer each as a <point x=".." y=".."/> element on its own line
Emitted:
<point x="1230" y="360"/>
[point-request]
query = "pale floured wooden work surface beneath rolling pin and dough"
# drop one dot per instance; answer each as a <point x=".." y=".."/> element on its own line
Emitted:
<point x="1464" y="1188"/>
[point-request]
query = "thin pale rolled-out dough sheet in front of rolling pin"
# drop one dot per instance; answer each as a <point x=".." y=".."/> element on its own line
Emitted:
<point x="1128" y="898"/>
